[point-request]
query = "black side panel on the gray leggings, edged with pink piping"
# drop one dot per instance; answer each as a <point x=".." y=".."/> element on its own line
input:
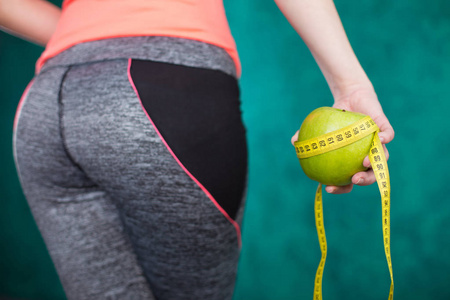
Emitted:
<point x="197" y="111"/>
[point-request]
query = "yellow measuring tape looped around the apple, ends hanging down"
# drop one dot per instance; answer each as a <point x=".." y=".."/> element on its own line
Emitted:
<point x="335" y="140"/>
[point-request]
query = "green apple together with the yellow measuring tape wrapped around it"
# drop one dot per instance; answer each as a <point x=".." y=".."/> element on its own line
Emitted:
<point x="331" y="146"/>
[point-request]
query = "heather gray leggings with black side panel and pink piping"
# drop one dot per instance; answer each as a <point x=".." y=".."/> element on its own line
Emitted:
<point x="127" y="211"/>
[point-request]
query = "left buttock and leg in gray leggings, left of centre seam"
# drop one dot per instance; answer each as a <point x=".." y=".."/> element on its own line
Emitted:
<point x="78" y="221"/>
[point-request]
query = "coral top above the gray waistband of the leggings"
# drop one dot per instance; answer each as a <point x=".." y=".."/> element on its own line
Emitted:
<point x="90" y="20"/>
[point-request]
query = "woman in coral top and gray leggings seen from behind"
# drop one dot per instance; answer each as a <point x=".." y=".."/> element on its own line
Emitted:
<point x="129" y="141"/>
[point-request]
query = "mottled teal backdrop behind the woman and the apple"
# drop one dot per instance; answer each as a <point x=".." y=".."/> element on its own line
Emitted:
<point x="404" y="46"/>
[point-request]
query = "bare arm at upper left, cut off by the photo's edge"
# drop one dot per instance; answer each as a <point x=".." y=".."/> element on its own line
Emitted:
<point x="33" y="20"/>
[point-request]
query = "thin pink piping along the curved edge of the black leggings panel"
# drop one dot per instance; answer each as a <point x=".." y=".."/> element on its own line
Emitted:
<point x="233" y="222"/>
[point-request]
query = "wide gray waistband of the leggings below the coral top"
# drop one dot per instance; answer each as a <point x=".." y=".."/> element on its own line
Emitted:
<point x="179" y="51"/>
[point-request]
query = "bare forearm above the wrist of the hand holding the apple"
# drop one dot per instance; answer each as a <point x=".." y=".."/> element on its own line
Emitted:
<point x="319" y="25"/>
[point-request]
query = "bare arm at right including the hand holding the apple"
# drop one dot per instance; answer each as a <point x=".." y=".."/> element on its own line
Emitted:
<point x="319" y="25"/>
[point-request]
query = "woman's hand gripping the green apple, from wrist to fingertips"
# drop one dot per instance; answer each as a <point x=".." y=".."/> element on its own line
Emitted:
<point x="362" y="100"/>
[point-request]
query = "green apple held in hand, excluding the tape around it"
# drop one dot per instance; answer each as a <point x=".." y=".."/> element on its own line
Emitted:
<point x="335" y="167"/>
